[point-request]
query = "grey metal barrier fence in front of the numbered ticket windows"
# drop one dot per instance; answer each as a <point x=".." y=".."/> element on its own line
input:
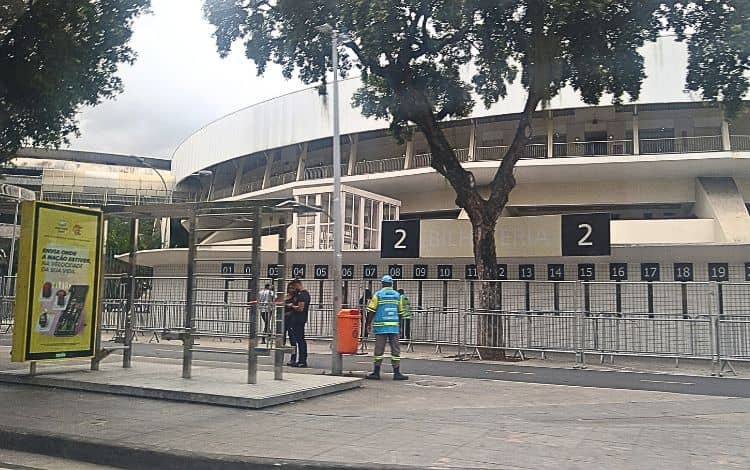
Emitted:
<point x="697" y="320"/>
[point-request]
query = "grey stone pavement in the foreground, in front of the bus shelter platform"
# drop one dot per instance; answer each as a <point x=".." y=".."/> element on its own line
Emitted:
<point x="426" y="422"/>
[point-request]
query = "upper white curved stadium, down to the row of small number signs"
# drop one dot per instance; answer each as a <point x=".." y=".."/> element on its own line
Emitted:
<point x="672" y="171"/>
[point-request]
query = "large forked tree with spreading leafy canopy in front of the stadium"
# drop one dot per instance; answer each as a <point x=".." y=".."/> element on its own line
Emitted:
<point x="411" y="52"/>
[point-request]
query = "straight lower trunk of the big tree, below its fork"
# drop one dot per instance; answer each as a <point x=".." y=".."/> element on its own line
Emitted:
<point x="490" y="339"/>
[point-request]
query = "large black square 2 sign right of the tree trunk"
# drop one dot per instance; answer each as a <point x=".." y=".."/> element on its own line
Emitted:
<point x="585" y="235"/>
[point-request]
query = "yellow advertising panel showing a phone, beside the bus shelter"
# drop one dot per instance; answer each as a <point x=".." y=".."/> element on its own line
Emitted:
<point x="58" y="282"/>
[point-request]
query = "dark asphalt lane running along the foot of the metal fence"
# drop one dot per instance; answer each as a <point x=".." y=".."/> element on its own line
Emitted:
<point x="694" y="385"/>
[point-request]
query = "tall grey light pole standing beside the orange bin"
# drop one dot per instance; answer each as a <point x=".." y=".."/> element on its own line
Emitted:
<point x="338" y="226"/>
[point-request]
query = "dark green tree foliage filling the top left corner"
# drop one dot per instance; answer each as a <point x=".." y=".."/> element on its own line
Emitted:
<point x="54" y="58"/>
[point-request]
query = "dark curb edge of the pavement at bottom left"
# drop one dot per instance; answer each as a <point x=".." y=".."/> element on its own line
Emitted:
<point x="138" y="457"/>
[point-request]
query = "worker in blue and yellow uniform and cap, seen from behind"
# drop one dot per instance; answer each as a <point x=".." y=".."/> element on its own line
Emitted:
<point x="384" y="314"/>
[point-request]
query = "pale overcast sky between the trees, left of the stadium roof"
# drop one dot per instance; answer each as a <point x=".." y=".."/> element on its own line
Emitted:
<point x="177" y="85"/>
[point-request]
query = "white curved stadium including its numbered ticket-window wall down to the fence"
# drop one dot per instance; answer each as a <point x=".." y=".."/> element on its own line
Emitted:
<point x="670" y="172"/>
